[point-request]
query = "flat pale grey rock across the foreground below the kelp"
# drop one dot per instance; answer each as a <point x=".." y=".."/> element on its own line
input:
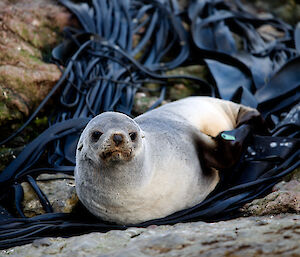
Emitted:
<point x="252" y="236"/>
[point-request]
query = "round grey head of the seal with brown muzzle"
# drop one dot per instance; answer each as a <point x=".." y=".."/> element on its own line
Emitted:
<point x="110" y="138"/>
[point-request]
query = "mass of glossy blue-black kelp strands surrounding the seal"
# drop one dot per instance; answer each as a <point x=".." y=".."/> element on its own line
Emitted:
<point x="122" y="46"/>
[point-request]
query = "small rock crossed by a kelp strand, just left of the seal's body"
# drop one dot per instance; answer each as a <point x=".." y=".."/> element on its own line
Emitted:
<point x="59" y="189"/>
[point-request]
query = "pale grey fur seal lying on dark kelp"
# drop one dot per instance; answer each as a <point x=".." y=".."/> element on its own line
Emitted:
<point x="165" y="160"/>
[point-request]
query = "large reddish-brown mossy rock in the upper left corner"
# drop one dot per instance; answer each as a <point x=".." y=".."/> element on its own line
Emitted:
<point x="28" y="31"/>
